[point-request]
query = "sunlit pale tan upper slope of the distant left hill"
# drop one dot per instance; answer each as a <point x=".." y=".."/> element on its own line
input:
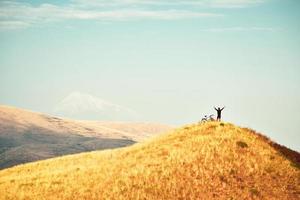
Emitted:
<point x="19" y="120"/>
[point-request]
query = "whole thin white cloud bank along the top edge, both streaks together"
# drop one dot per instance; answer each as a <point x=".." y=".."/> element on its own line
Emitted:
<point x="15" y="15"/>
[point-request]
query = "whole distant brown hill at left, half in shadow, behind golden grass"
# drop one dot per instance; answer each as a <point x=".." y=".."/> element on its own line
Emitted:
<point x="27" y="136"/>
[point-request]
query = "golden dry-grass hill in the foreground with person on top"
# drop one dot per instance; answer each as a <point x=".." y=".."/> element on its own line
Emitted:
<point x="206" y="161"/>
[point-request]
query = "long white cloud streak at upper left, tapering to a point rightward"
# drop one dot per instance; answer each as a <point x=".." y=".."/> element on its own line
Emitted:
<point x="20" y="15"/>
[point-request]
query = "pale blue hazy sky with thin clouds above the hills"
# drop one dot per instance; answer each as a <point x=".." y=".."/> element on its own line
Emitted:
<point x="168" y="61"/>
